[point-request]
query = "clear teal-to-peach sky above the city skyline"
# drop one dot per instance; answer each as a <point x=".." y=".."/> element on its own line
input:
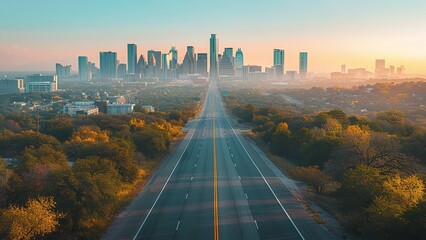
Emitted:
<point x="35" y="34"/>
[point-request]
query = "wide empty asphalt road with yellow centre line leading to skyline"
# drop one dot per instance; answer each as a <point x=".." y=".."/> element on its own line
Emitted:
<point x="215" y="185"/>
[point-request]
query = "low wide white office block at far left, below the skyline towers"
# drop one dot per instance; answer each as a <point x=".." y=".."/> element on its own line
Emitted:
<point x="40" y="83"/>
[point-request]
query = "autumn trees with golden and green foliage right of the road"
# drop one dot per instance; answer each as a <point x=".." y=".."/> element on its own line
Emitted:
<point x="375" y="168"/>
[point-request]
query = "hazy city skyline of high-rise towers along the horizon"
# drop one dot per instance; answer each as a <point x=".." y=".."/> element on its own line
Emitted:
<point x="158" y="66"/>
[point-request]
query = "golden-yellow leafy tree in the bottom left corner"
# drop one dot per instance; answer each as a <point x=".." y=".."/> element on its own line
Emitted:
<point x="36" y="219"/>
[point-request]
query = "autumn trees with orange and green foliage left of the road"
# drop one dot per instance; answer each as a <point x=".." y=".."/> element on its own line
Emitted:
<point x="70" y="175"/>
